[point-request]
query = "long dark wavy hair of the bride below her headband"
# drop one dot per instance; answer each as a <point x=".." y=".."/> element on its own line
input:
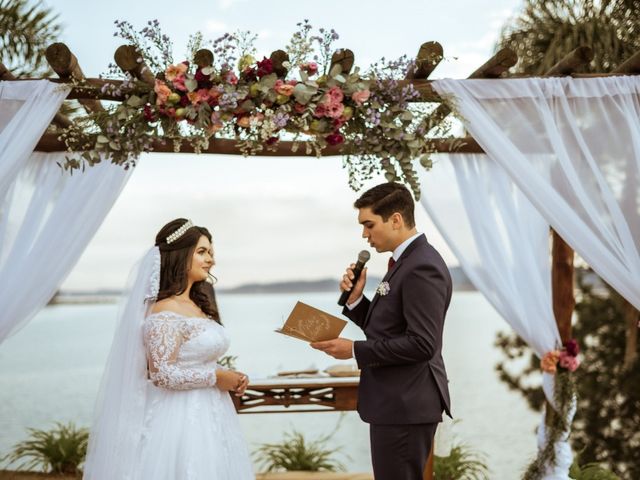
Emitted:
<point x="175" y="262"/>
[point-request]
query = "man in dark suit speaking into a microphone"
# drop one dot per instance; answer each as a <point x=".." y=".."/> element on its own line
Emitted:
<point x="403" y="383"/>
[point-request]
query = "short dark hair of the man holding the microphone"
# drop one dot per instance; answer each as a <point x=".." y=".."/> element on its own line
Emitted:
<point x="386" y="199"/>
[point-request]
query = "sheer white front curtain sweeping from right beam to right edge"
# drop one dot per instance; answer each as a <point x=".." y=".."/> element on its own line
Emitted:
<point x="573" y="147"/>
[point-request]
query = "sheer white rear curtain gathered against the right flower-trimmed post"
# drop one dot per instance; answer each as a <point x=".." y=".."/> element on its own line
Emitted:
<point x="502" y="243"/>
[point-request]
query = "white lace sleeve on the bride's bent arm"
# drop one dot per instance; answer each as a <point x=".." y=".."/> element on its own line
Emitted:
<point x="163" y="340"/>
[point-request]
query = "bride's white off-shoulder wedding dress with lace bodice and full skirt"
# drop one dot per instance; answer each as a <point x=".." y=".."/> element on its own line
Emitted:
<point x="191" y="429"/>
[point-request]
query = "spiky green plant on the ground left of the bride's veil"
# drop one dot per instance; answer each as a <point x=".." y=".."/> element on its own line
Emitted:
<point x="59" y="450"/>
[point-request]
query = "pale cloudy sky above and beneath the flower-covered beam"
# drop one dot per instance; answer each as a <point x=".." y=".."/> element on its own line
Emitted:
<point x="272" y="219"/>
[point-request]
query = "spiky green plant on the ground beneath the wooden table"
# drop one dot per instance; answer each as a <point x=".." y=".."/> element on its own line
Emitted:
<point x="295" y="453"/>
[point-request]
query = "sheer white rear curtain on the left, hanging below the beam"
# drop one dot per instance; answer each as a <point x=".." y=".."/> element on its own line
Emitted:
<point x="47" y="219"/>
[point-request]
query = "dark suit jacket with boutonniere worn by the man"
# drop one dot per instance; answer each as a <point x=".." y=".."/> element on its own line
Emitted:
<point x="403" y="378"/>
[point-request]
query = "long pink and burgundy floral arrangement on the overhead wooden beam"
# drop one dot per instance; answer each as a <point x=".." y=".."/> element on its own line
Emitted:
<point x="300" y="97"/>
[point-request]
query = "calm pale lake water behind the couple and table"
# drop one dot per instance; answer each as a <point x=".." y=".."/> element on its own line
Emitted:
<point x="50" y="371"/>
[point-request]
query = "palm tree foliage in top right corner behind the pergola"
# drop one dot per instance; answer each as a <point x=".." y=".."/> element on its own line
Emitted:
<point x="546" y="30"/>
